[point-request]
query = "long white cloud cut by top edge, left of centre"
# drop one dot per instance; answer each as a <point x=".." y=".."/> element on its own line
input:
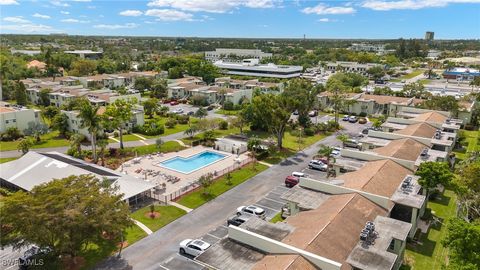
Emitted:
<point x="213" y="6"/>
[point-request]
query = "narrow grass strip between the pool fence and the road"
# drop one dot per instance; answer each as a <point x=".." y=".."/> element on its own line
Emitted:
<point x="197" y="198"/>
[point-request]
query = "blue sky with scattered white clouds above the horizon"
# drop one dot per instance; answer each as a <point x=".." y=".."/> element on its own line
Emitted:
<point x="449" y="19"/>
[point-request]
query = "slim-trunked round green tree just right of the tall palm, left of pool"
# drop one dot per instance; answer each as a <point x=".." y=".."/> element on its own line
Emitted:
<point x="118" y="114"/>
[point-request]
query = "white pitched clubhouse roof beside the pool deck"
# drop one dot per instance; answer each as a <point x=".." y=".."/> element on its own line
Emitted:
<point x="35" y="168"/>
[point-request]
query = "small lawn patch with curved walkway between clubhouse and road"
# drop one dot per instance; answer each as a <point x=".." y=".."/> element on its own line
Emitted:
<point x="167" y="215"/>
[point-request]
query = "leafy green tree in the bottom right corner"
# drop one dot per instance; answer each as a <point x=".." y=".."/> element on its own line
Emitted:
<point x="463" y="243"/>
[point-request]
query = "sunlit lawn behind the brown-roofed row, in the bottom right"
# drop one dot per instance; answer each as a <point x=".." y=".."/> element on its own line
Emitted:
<point x="430" y="254"/>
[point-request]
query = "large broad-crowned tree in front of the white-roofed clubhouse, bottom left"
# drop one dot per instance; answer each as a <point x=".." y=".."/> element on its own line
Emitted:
<point x="68" y="215"/>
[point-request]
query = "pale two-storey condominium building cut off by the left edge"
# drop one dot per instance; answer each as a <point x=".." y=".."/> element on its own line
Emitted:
<point x="17" y="116"/>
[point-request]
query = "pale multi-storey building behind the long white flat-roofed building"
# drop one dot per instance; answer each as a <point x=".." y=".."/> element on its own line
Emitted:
<point x="235" y="55"/>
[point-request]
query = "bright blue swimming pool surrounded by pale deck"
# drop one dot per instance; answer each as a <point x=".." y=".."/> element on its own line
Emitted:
<point x="192" y="163"/>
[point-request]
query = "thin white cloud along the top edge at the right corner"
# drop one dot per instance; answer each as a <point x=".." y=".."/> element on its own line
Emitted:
<point x="411" y="4"/>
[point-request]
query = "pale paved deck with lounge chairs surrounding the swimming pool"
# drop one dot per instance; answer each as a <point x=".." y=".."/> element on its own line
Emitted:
<point x="145" y="167"/>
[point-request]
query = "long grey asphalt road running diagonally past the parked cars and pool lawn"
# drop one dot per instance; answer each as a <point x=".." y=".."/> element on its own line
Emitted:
<point x="151" y="251"/>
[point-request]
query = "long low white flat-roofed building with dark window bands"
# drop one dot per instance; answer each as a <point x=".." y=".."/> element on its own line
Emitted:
<point x="251" y="67"/>
